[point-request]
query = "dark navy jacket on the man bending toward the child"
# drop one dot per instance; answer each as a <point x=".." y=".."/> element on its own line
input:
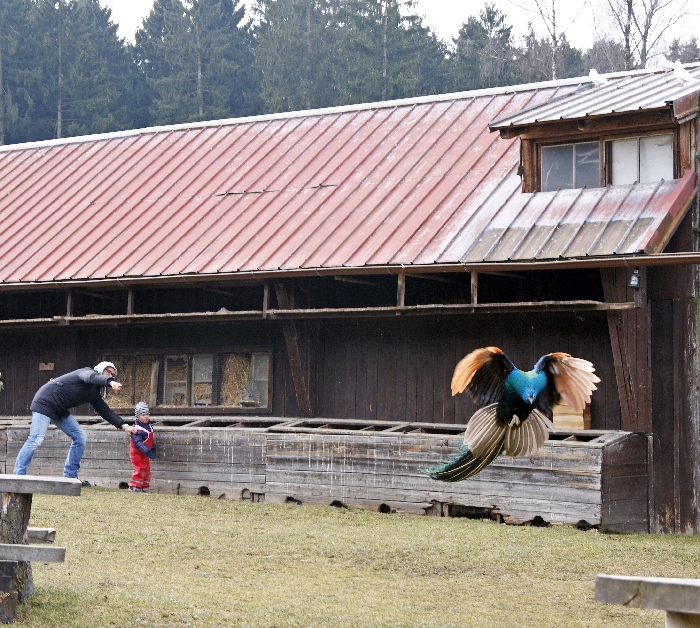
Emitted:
<point x="55" y="398"/>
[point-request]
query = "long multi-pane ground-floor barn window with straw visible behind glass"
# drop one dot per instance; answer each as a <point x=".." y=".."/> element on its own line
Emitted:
<point x="234" y="379"/>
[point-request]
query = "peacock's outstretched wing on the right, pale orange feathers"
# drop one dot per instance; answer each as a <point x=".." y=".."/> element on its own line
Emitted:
<point x="569" y="379"/>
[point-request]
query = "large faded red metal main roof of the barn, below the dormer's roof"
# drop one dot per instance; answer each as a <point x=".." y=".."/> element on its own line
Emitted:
<point x="420" y="181"/>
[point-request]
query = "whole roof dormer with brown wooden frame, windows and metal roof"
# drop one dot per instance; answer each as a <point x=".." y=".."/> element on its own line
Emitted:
<point x="617" y="131"/>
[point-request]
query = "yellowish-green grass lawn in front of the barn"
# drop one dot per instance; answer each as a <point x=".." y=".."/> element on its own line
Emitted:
<point x="163" y="560"/>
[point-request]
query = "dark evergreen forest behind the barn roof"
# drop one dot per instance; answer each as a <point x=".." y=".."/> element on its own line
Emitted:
<point x="64" y="71"/>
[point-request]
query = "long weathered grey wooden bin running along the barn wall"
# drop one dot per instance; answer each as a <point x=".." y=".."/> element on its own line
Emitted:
<point x="369" y="466"/>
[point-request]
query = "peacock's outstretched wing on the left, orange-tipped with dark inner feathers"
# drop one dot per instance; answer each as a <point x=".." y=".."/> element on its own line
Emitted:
<point x="482" y="373"/>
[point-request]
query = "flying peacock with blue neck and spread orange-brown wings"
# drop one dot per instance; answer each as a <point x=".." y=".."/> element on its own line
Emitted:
<point x="515" y="407"/>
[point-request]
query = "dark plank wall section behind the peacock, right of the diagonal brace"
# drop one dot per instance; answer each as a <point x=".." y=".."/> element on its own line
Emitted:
<point x="409" y="379"/>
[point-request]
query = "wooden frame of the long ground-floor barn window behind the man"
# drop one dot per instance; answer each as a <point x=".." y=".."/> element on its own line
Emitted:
<point x="218" y="352"/>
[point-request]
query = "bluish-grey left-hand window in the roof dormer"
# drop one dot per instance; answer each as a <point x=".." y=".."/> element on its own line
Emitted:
<point x="568" y="166"/>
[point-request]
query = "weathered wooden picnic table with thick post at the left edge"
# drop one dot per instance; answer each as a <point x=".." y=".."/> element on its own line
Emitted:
<point x="16" y="554"/>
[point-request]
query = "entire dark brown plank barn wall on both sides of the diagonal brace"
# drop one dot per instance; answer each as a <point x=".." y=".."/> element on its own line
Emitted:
<point x="376" y="369"/>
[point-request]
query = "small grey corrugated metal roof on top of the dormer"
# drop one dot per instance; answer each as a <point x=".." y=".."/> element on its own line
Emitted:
<point x="621" y="94"/>
